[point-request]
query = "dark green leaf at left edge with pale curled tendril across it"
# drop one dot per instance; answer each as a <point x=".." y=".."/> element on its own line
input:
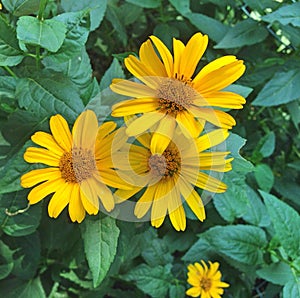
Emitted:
<point x="15" y="219"/>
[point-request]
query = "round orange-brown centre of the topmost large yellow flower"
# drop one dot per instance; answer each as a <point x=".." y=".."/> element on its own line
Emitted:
<point x="174" y="96"/>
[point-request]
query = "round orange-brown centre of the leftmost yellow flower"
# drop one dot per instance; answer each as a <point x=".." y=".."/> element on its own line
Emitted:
<point x="77" y="165"/>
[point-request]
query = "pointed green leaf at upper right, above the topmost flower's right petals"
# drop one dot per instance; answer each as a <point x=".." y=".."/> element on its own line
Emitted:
<point x="244" y="33"/>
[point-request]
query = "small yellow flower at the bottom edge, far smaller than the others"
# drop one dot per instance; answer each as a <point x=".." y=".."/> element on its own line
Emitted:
<point x="206" y="282"/>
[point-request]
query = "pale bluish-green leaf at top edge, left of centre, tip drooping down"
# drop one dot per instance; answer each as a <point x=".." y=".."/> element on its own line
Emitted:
<point x="96" y="8"/>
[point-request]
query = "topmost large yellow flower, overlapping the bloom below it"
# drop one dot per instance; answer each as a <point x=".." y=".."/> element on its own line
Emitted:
<point x="169" y="87"/>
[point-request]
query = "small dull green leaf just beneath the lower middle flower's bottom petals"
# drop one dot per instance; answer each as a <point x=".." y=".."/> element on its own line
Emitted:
<point x="157" y="254"/>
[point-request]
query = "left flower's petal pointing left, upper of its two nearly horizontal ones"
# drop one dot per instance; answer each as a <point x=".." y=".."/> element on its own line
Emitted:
<point x="41" y="155"/>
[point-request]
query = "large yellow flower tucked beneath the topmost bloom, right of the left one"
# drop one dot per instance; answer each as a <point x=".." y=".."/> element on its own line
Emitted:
<point x="168" y="178"/>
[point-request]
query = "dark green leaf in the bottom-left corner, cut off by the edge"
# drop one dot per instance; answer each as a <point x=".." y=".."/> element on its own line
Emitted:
<point x="21" y="288"/>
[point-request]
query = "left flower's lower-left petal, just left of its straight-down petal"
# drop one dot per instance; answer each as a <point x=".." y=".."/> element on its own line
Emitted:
<point x="60" y="200"/>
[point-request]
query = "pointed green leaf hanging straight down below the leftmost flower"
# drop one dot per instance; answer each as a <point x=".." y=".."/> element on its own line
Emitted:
<point x="100" y="245"/>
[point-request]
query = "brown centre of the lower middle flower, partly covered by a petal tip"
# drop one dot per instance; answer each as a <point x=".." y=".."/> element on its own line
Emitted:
<point x="167" y="164"/>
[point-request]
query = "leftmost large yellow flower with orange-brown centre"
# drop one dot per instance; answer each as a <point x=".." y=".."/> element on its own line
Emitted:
<point x="79" y="166"/>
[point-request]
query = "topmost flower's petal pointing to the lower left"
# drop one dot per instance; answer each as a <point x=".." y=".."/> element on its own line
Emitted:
<point x="144" y="122"/>
